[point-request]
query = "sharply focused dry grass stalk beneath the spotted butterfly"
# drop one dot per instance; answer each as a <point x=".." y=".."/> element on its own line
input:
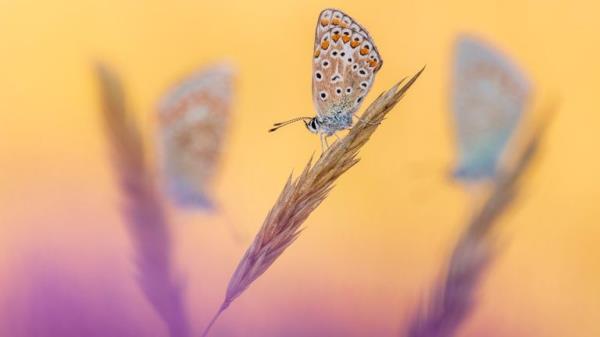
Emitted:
<point x="302" y="196"/>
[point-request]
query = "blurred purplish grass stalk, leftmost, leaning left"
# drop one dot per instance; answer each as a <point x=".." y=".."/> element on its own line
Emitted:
<point x="146" y="219"/>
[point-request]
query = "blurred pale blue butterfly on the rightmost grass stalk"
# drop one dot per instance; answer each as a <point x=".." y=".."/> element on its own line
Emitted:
<point x="489" y="96"/>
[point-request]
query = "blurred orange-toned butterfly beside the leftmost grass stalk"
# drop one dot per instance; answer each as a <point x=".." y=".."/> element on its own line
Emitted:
<point x="193" y="119"/>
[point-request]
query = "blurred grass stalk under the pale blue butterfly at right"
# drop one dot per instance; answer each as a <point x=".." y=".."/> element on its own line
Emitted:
<point x="453" y="297"/>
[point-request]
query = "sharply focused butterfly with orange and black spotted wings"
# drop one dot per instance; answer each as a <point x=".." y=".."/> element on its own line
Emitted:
<point x="345" y="61"/>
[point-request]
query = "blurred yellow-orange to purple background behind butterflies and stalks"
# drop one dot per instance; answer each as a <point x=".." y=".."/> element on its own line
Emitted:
<point x="373" y="248"/>
